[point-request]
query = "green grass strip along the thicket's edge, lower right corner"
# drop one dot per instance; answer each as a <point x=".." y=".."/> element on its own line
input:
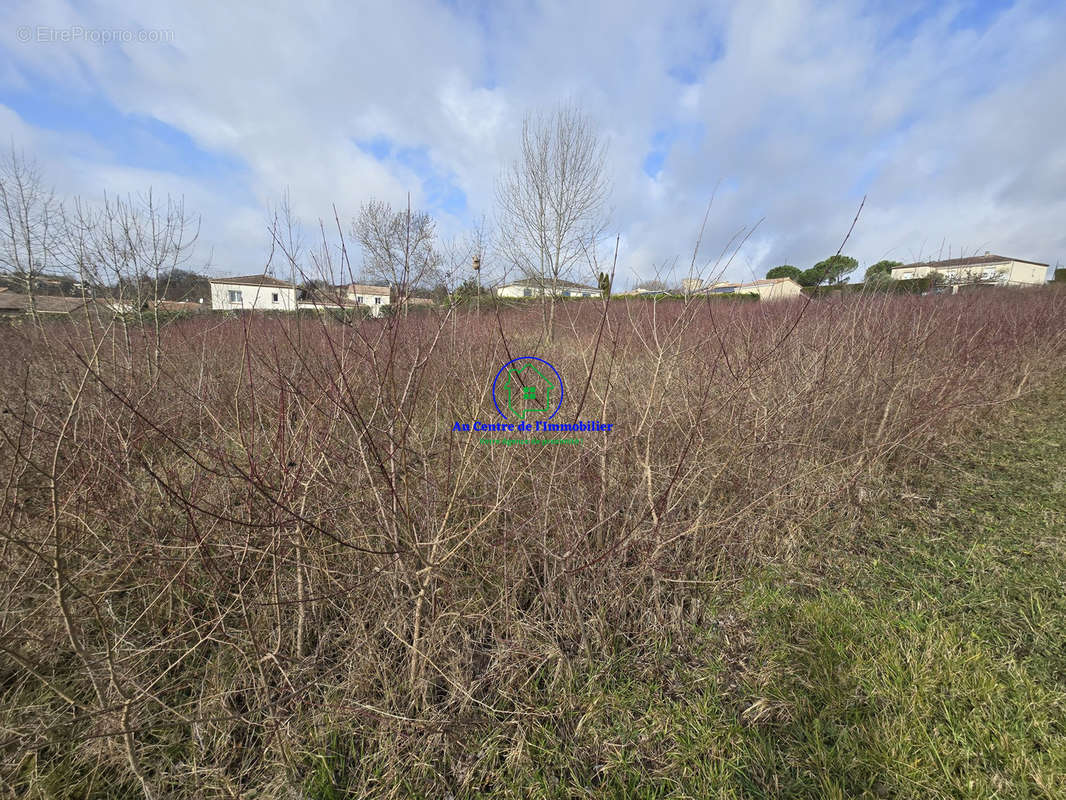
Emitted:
<point x="922" y="654"/>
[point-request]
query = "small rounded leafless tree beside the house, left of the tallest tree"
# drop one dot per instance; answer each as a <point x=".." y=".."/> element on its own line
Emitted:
<point x="398" y="247"/>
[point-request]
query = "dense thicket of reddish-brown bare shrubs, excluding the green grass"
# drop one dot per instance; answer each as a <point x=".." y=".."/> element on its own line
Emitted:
<point x="270" y="547"/>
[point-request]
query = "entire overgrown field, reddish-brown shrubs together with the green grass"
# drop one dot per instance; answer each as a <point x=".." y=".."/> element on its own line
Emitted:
<point x="252" y="557"/>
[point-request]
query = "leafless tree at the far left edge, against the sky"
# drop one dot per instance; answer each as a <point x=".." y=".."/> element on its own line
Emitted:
<point x="29" y="217"/>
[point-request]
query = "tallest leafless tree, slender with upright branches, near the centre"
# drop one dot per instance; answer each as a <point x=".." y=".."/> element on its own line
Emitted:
<point x="553" y="201"/>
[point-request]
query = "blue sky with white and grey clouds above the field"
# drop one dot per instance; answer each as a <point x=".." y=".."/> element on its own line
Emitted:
<point x="948" y="117"/>
